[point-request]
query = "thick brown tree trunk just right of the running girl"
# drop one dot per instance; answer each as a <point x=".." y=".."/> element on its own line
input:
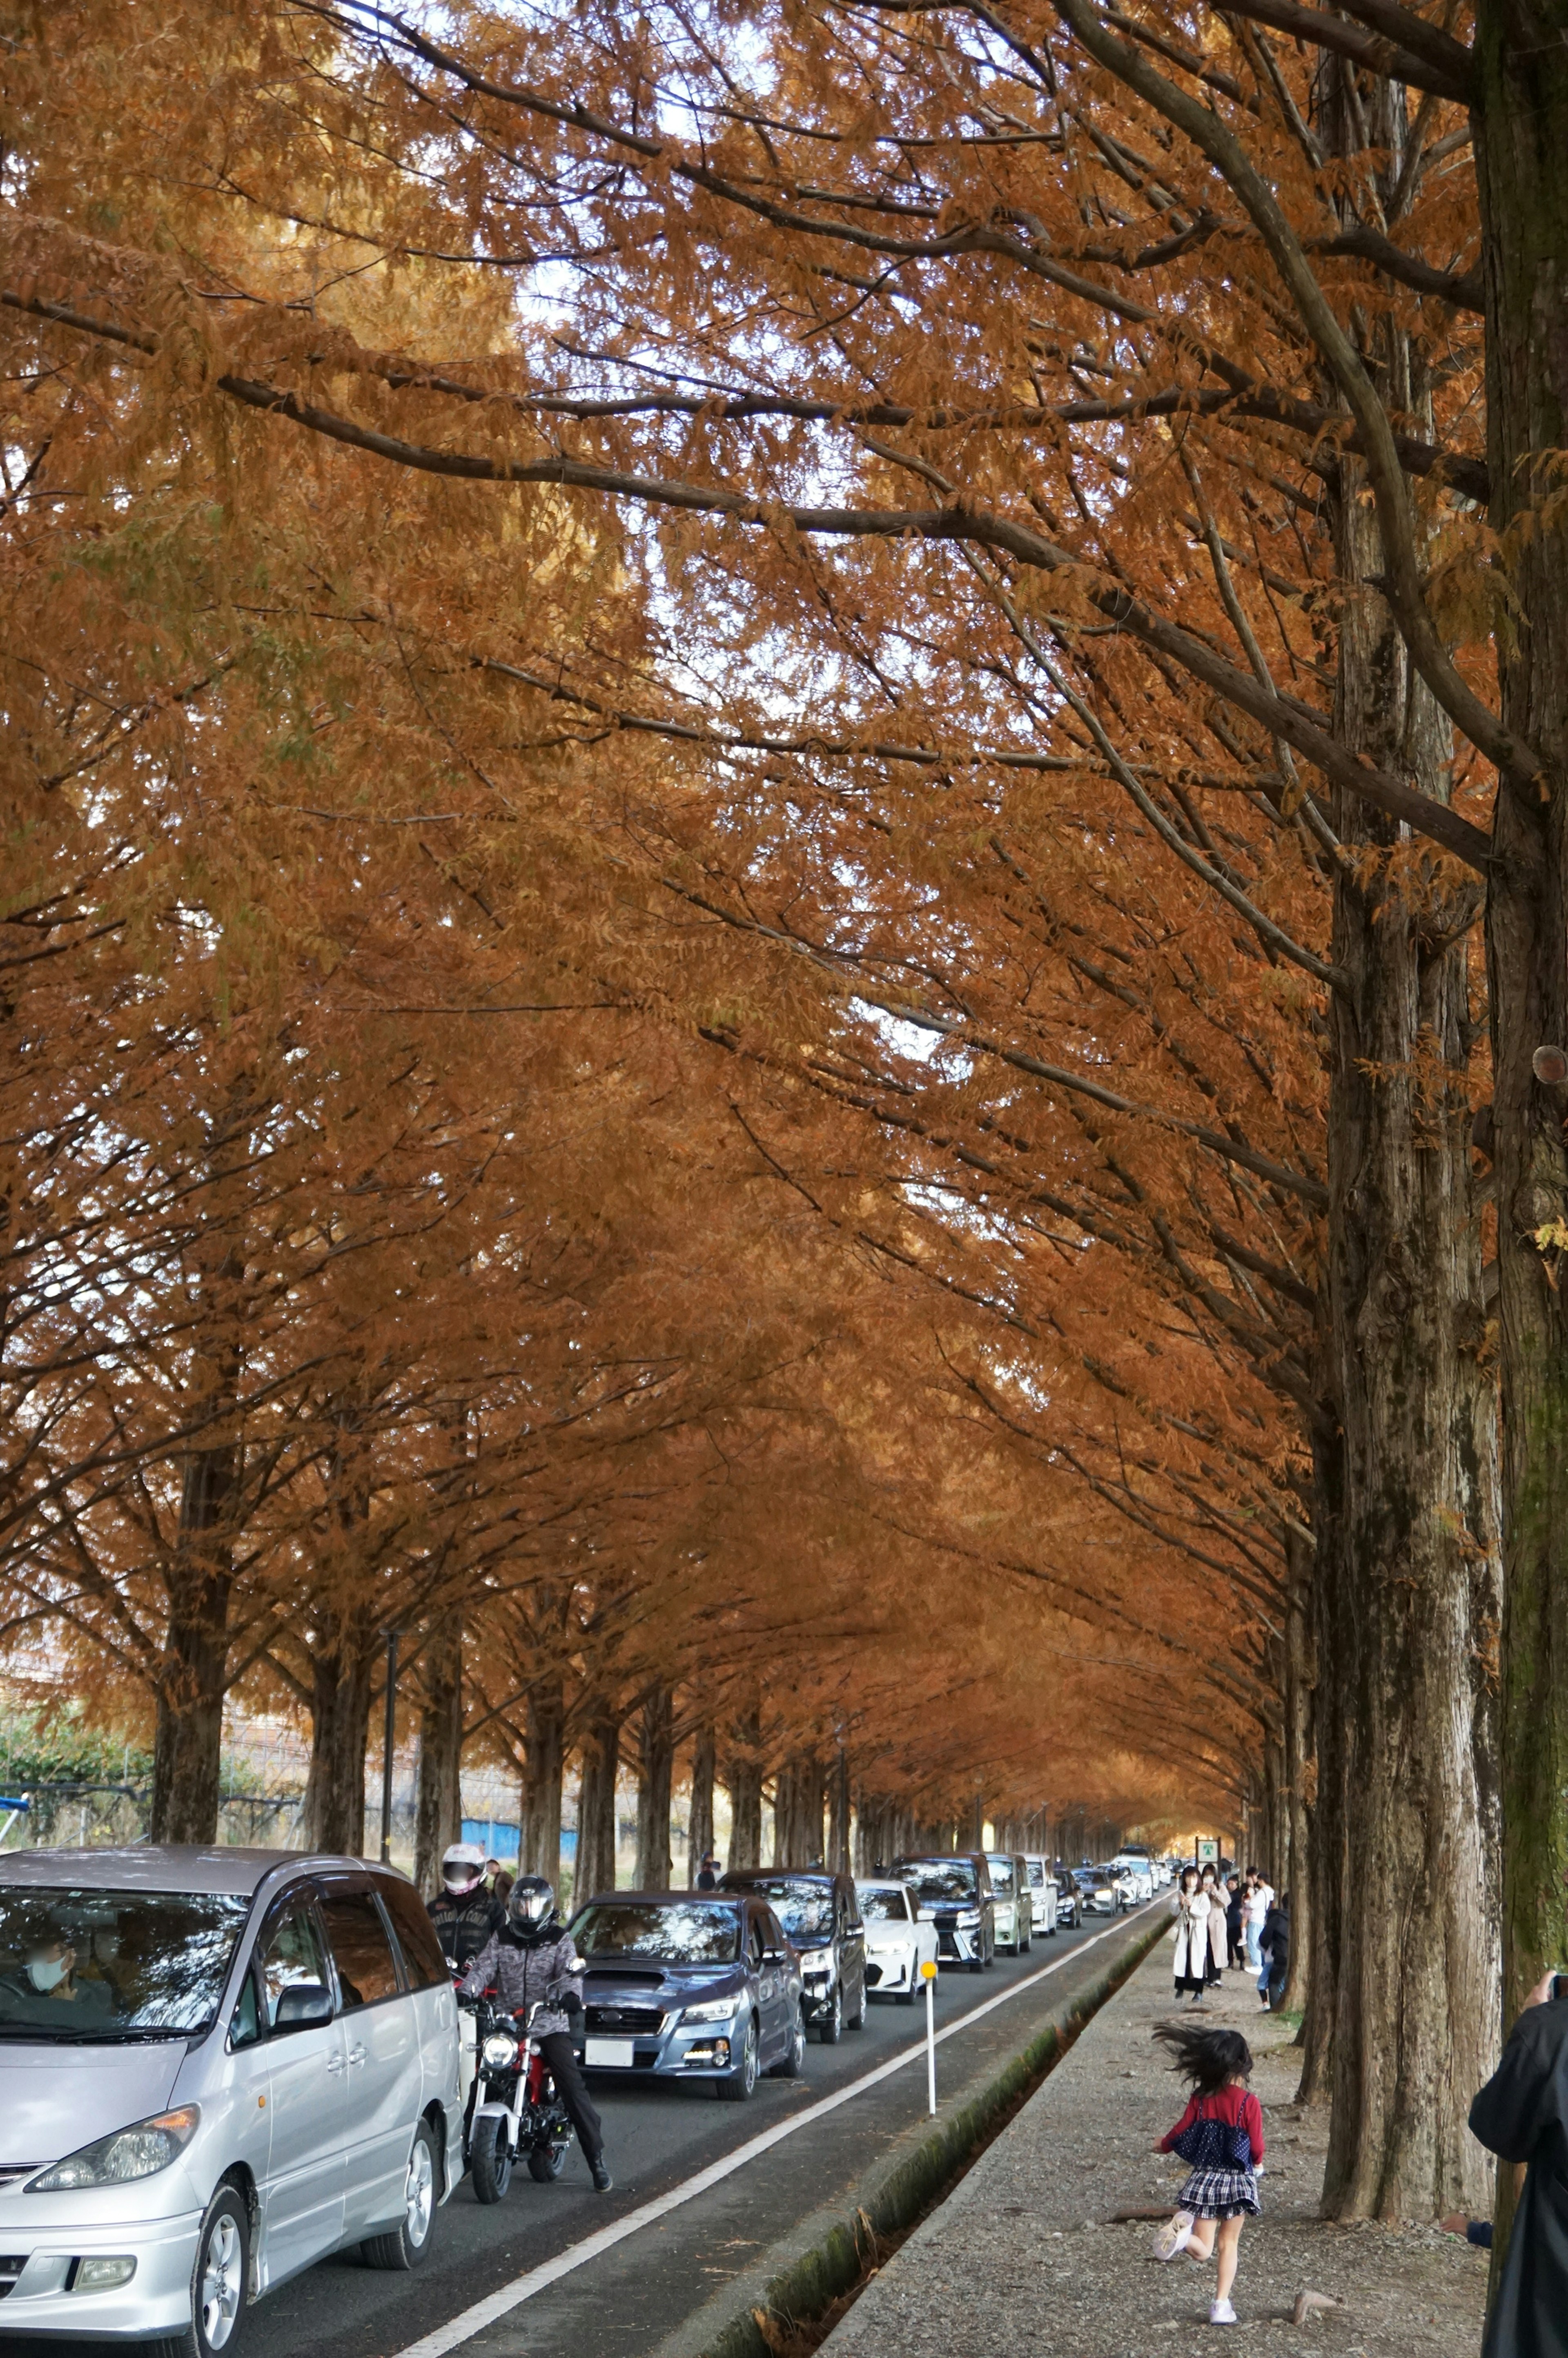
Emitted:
<point x="1411" y="1607"/>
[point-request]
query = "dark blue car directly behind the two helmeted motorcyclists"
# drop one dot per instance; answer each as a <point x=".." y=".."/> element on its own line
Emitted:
<point x="690" y="1987"/>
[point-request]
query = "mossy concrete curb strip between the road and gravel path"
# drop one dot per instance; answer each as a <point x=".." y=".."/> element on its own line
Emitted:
<point x="824" y="2255"/>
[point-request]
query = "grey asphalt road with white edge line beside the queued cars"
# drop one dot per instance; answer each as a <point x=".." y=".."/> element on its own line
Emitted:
<point x="633" y="2298"/>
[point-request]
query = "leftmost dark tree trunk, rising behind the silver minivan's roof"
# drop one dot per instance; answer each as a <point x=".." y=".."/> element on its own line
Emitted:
<point x="195" y="1675"/>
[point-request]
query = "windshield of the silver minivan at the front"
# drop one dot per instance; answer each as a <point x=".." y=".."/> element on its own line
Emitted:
<point x="114" y="1965"/>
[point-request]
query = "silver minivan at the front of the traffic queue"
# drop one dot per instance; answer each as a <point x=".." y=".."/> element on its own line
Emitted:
<point x="216" y="2067"/>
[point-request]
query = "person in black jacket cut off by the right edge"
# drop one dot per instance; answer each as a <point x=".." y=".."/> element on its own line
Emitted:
<point x="1522" y="2116"/>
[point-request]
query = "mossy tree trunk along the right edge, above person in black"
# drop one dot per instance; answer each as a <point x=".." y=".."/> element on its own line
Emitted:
<point x="1522" y="140"/>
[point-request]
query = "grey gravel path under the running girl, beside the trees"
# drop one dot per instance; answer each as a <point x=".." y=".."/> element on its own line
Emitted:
<point x="1025" y="2255"/>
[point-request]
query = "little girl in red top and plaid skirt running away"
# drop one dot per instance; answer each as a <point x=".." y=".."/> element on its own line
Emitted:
<point x="1223" y="2140"/>
